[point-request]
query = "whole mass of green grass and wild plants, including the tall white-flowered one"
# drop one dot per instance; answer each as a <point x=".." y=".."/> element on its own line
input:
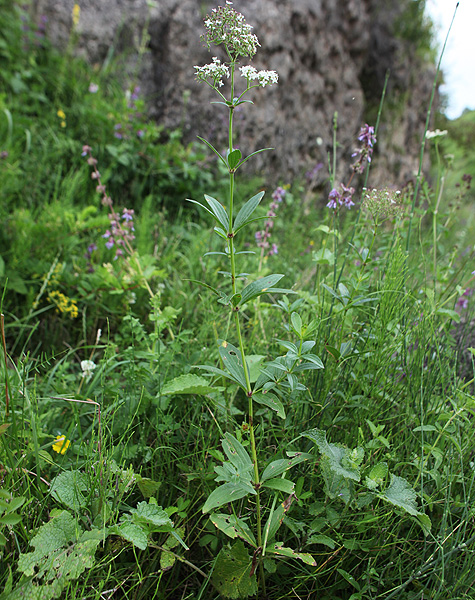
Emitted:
<point x="178" y="425"/>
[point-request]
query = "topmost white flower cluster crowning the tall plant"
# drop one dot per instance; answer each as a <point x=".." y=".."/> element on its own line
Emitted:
<point x="226" y="26"/>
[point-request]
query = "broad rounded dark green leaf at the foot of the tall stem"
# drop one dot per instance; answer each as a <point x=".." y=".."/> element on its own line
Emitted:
<point x="232" y="573"/>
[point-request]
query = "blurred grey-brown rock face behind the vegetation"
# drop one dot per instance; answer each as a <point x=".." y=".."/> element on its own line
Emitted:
<point x="331" y="56"/>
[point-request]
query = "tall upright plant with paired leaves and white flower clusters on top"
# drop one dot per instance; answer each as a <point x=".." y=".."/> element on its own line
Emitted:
<point x="241" y="476"/>
